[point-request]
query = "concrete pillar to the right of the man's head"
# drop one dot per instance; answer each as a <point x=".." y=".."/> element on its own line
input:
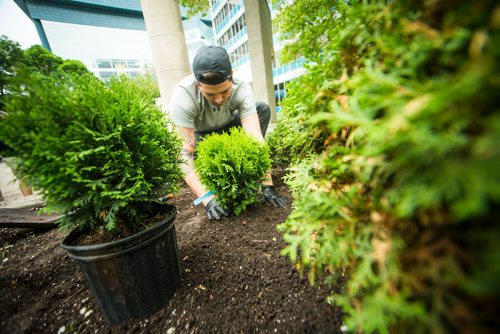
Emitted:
<point x="260" y="46"/>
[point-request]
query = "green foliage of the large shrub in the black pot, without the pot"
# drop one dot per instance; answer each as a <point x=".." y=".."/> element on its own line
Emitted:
<point x="100" y="153"/>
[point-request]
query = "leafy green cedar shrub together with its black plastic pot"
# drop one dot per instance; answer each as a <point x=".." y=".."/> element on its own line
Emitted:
<point x="102" y="155"/>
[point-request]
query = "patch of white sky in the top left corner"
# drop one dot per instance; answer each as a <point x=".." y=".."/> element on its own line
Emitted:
<point x="16" y="25"/>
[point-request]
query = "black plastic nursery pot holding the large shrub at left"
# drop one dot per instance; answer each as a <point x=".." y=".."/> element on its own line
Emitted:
<point x="134" y="276"/>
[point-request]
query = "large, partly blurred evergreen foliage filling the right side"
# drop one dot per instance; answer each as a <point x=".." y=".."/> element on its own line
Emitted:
<point x="396" y="128"/>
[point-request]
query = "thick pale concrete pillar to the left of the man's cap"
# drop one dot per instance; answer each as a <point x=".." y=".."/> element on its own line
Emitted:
<point x="168" y="44"/>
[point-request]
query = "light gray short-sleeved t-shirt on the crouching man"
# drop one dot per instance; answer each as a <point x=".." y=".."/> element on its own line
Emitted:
<point x="189" y="109"/>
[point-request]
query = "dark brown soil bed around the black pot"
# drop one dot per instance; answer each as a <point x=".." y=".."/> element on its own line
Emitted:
<point x="234" y="280"/>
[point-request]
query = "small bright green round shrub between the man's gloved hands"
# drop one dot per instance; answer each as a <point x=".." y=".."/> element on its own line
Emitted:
<point x="233" y="165"/>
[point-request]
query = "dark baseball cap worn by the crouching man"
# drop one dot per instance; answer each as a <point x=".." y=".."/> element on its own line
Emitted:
<point x="212" y="59"/>
